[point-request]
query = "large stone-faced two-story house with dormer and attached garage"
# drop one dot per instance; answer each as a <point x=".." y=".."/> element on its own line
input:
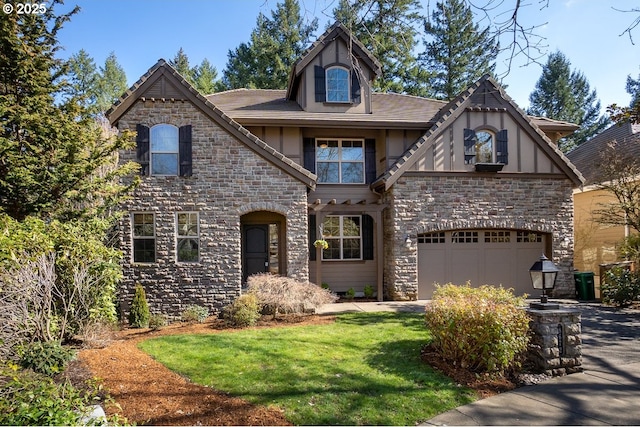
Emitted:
<point x="407" y="191"/>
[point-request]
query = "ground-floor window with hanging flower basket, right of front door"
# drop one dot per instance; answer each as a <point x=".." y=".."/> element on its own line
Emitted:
<point x="344" y="236"/>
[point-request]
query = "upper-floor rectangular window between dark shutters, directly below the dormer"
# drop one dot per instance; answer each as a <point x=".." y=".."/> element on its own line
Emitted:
<point x="340" y="161"/>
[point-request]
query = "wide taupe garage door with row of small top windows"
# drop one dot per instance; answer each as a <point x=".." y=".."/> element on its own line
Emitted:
<point x="493" y="257"/>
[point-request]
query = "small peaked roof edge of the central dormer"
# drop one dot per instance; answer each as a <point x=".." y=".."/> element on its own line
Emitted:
<point x="336" y="31"/>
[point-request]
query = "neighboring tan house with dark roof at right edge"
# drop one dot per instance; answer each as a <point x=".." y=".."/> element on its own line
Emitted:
<point x="597" y="243"/>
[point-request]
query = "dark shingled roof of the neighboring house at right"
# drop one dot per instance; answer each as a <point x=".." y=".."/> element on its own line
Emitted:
<point x="587" y="156"/>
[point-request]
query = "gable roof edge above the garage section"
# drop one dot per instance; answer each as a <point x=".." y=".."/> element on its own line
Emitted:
<point x="485" y="94"/>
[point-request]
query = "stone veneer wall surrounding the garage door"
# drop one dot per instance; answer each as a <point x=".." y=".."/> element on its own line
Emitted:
<point x="420" y="203"/>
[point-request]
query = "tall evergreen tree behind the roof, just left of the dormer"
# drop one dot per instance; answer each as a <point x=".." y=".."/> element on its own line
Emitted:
<point x="266" y="60"/>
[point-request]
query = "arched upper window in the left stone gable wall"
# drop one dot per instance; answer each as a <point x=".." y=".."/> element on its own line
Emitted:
<point x="164" y="140"/>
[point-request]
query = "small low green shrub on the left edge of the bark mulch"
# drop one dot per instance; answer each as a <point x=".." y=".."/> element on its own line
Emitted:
<point x="48" y="357"/>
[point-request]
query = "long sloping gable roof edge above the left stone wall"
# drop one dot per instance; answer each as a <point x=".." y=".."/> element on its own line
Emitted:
<point x="162" y="81"/>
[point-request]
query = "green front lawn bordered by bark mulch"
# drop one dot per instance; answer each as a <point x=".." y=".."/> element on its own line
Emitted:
<point x="364" y="369"/>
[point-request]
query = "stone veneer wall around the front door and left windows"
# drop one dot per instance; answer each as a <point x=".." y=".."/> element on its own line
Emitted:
<point x="229" y="180"/>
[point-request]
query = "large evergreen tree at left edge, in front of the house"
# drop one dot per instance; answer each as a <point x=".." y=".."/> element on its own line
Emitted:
<point x="50" y="147"/>
